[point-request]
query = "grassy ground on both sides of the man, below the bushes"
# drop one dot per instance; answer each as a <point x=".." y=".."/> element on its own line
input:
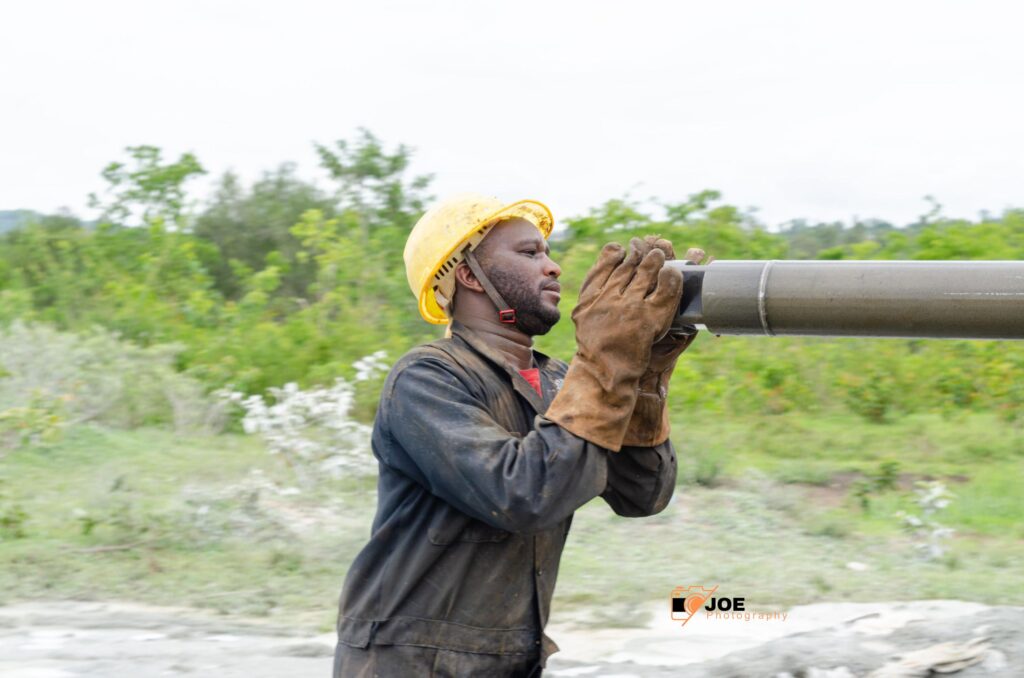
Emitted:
<point x="208" y="522"/>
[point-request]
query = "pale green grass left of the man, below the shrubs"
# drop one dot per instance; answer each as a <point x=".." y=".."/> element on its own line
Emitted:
<point x="158" y="518"/>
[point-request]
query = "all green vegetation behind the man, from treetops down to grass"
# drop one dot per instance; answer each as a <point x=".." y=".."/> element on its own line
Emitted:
<point x="796" y="455"/>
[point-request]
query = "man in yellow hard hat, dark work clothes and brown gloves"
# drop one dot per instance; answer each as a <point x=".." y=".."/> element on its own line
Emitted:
<point x="487" y="447"/>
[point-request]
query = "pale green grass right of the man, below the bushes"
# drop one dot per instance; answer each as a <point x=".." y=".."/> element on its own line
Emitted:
<point x="786" y="523"/>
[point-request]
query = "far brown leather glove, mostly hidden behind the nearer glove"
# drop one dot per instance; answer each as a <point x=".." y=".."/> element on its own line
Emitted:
<point x="650" y="425"/>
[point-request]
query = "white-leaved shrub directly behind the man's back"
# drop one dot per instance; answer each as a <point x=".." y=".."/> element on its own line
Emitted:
<point x="314" y="430"/>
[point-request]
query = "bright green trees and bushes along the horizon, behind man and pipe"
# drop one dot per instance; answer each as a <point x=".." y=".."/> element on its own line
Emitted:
<point x="286" y="280"/>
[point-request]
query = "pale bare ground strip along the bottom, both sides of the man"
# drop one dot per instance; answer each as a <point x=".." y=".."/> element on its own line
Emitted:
<point x="826" y="641"/>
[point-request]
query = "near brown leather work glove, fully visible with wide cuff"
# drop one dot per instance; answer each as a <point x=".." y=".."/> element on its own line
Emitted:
<point x="626" y="303"/>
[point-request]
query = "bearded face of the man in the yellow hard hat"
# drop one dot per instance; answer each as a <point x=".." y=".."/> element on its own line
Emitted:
<point x="516" y="258"/>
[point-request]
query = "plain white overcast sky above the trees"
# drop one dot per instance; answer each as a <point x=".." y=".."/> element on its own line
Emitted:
<point x="823" y="110"/>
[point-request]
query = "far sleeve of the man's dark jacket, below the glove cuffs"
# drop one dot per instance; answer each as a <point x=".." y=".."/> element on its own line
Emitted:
<point x="642" y="480"/>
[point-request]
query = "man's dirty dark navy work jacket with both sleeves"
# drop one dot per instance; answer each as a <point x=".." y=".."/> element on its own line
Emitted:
<point x="476" y="496"/>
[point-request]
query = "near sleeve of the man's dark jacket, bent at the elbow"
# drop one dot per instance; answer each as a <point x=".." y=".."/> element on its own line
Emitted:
<point x="449" y="443"/>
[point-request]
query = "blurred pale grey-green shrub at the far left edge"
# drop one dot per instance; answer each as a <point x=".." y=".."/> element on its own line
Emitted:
<point x="94" y="377"/>
